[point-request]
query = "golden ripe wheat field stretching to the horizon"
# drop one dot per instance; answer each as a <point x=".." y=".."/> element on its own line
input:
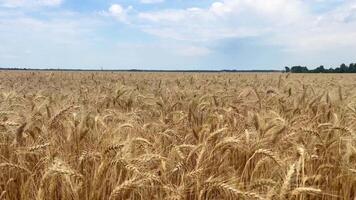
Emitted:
<point x="93" y="136"/>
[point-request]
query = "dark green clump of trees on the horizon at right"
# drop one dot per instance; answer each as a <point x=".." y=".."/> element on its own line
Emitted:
<point x="342" y="69"/>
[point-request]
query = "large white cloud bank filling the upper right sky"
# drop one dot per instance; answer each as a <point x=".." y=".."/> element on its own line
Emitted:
<point x="289" y="24"/>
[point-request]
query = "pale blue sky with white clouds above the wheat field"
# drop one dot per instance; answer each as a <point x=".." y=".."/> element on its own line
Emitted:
<point x="177" y="34"/>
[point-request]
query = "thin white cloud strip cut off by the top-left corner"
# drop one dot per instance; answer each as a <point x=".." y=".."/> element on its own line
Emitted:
<point x="29" y="3"/>
